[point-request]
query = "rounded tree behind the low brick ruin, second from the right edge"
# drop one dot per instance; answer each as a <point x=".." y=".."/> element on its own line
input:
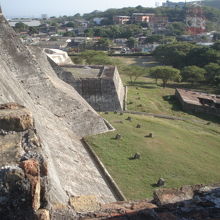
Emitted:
<point x="193" y="74"/>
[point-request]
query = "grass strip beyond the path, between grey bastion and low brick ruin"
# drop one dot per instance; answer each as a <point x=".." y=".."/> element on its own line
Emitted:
<point x="146" y="96"/>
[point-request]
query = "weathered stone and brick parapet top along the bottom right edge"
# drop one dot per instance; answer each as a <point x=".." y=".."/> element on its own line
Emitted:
<point x="203" y="205"/>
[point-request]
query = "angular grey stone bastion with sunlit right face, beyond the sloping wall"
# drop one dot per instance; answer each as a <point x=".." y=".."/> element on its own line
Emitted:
<point x="100" y="86"/>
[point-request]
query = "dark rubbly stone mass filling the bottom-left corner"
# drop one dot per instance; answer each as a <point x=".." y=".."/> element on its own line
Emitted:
<point x="15" y="194"/>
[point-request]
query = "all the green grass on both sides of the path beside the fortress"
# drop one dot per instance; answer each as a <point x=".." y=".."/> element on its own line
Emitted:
<point x="182" y="152"/>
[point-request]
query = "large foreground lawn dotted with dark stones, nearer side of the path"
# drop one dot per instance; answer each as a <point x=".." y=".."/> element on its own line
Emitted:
<point x="181" y="152"/>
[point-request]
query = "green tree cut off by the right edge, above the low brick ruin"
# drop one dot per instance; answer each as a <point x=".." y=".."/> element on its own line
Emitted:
<point x="213" y="73"/>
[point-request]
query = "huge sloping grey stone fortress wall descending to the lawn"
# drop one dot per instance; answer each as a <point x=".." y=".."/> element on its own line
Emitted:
<point x="61" y="118"/>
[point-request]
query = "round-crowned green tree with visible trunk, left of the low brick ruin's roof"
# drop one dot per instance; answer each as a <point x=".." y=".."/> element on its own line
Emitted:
<point x="165" y="73"/>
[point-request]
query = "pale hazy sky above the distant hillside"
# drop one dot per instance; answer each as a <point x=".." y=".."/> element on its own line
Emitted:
<point x="34" y="8"/>
